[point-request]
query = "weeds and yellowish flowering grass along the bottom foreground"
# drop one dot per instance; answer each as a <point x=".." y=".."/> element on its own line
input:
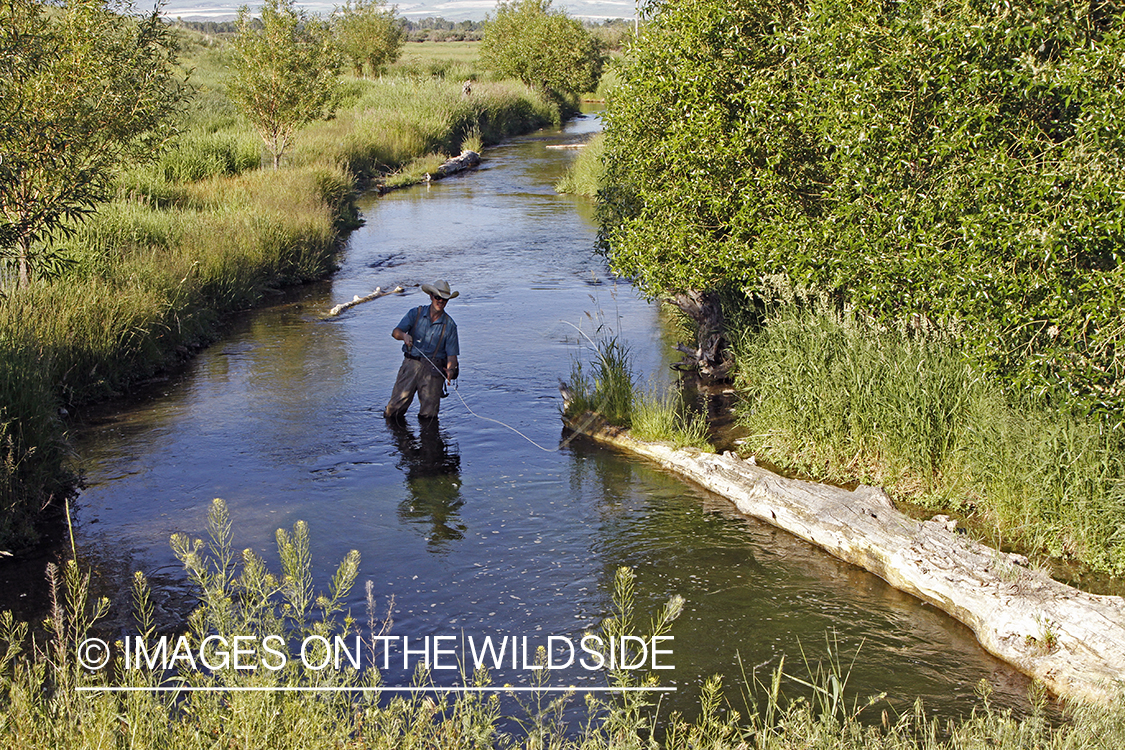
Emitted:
<point x="46" y="699"/>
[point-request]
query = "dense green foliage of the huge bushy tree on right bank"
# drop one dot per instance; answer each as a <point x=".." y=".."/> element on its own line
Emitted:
<point x="958" y="161"/>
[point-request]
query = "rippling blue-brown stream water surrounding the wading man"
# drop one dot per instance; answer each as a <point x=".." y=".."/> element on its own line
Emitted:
<point x="471" y="528"/>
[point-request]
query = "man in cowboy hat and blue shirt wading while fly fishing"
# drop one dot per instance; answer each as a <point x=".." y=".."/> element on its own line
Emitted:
<point x="430" y="348"/>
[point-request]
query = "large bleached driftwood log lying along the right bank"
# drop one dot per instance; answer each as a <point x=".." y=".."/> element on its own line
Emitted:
<point x="1073" y="641"/>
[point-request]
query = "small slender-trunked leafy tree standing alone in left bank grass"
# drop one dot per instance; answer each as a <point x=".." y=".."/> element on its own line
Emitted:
<point x="285" y="73"/>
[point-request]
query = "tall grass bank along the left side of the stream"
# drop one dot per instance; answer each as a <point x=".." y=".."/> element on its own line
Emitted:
<point x="204" y="231"/>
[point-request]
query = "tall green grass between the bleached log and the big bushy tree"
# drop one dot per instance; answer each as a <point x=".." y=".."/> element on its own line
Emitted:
<point x="836" y="397"/>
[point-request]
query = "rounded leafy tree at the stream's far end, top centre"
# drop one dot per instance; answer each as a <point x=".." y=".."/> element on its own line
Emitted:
<point x="542" y="48"/>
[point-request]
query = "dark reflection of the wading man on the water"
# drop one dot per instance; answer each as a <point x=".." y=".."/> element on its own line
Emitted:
<point x="434" y="482"/>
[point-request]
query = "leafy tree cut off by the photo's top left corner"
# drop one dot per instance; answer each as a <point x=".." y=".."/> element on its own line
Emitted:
<point x="84" y="88"/>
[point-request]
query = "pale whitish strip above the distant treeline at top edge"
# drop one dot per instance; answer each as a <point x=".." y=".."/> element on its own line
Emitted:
<point x="456" y="11"/>
